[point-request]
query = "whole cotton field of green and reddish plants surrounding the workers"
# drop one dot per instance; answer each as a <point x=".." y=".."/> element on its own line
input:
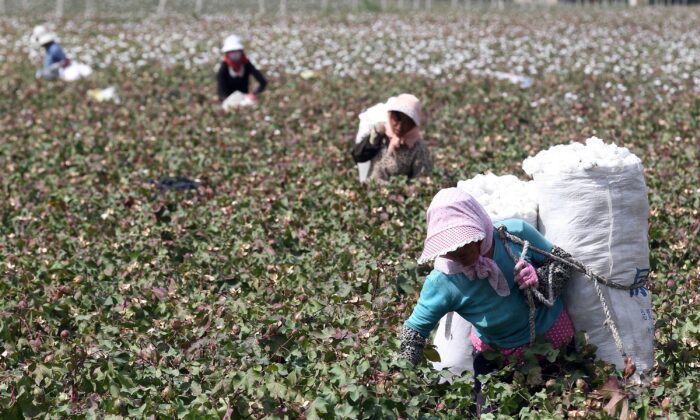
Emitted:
<point x="278" y="287"/>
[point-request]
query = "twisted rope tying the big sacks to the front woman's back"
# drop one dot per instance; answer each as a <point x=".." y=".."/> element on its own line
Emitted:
<point x="532" y="293"/>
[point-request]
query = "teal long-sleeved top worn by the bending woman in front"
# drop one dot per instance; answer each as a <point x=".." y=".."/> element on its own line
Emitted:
<point x="500" y="321"/>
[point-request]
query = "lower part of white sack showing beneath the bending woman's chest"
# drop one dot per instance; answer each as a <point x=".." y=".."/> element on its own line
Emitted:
<point x="454" y="345"/>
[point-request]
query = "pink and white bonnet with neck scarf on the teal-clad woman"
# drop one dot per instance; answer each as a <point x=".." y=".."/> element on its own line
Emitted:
<point x="455" y="219"/>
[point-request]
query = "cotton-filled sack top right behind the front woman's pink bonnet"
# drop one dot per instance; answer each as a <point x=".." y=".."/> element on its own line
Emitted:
<point x="503" y="197"/>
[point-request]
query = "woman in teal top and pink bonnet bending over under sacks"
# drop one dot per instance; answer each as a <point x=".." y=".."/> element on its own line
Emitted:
<point x="476" y="276"/>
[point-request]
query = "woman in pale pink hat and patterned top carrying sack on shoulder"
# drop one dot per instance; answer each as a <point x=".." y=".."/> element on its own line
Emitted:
<point x="395" y="147"/>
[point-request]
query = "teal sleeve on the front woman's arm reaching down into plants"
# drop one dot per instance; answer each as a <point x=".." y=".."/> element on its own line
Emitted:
<point x="435" y="301"/>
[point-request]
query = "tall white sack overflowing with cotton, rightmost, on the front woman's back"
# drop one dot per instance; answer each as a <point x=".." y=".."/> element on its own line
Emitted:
<point x="593" y="203"/>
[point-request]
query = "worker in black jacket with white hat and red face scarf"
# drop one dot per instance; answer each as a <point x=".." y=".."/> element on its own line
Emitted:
<point x="235" y="71"/>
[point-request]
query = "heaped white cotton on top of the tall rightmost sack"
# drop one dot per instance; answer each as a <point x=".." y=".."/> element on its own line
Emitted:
<point x="576" y="156"/>
